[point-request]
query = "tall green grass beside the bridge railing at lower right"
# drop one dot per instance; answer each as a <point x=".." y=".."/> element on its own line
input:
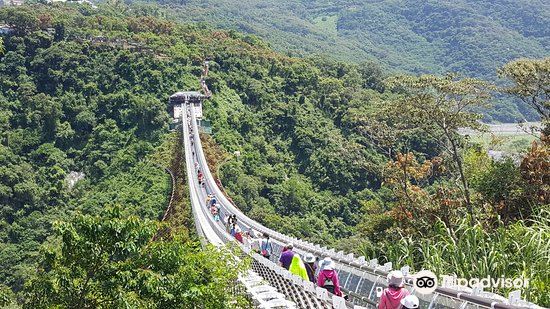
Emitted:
<point x="520" y="250"/>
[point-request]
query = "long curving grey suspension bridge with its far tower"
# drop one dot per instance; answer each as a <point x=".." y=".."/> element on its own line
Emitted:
<point x="270" y="286"/>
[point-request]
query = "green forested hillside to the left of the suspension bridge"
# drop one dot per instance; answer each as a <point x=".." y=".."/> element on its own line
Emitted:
<point x="85" y="90"/>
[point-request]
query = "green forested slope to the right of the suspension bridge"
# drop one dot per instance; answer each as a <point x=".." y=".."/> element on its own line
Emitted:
<point x="330" y="154"/>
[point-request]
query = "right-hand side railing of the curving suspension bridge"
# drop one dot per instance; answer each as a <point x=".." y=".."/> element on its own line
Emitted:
<point x="363" y="278"/>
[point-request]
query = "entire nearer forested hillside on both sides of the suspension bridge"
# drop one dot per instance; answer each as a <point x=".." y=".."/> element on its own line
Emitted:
<point x="334" y="152"/>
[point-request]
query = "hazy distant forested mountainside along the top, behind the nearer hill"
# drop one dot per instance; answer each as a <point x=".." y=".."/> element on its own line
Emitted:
<point x="467" y="36"/>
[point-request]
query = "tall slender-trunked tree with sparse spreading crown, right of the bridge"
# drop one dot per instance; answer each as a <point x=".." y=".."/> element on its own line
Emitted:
<point x="441" y="106"/>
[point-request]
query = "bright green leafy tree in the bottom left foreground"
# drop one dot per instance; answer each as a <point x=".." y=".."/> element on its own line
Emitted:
<point x="108" y="261"/>
